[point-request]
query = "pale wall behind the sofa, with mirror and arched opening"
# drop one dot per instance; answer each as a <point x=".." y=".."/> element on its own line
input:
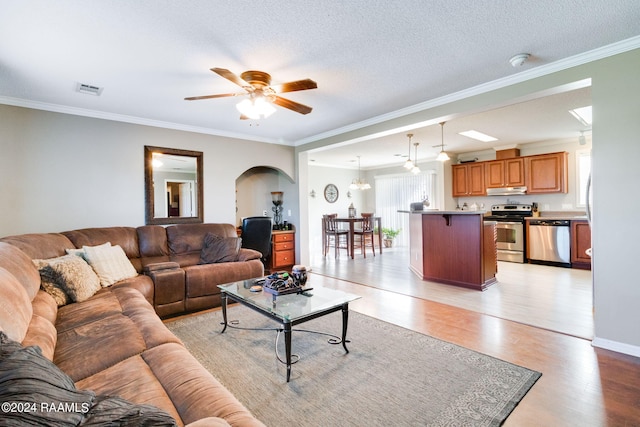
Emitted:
<point x="60" y="172"/>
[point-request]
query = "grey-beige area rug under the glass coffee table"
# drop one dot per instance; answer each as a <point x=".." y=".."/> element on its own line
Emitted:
<point x="391" y="376"/>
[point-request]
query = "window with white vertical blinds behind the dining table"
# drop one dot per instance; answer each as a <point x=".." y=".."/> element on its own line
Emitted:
<point x="397" y="192"/>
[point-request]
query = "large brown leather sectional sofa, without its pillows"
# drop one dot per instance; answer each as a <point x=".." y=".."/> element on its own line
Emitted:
<point x="115" y="343"/>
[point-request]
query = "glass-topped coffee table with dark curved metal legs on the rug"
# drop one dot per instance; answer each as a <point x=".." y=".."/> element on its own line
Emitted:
<point x="290" y="310"/>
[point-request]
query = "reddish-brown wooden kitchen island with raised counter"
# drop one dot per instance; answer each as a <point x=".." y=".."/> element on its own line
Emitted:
<point x="453" y="247"/>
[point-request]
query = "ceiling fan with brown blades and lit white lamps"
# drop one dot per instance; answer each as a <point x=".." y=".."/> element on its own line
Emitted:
<point x="262" y="95"/>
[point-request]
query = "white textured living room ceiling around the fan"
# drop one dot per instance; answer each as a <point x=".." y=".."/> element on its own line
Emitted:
<point x="369" y="58"/>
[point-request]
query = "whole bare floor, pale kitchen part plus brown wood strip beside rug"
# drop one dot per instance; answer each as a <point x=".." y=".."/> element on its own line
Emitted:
<point x="580" y="386"/>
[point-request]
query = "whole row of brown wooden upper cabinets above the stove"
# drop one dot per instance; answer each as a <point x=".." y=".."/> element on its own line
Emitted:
<point x="543" y="173"/>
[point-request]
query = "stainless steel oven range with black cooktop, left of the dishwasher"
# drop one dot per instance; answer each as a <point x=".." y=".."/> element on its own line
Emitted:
<point x="510" y="235"/>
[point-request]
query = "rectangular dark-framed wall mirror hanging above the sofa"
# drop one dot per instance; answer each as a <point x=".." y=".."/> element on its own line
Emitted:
<point x="173" y="186"/>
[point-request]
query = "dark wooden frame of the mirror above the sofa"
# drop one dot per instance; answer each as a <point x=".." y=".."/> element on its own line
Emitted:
<point x="148" y="186"/>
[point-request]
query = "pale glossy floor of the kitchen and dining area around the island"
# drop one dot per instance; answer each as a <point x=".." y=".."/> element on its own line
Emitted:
<point x="554" y="298"/>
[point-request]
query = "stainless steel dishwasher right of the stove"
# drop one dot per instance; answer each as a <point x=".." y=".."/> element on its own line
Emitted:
<point x="549" y="242"/>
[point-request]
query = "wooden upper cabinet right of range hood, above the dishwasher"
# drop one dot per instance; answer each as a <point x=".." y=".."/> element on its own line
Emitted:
<point x="546" y="173"/>
